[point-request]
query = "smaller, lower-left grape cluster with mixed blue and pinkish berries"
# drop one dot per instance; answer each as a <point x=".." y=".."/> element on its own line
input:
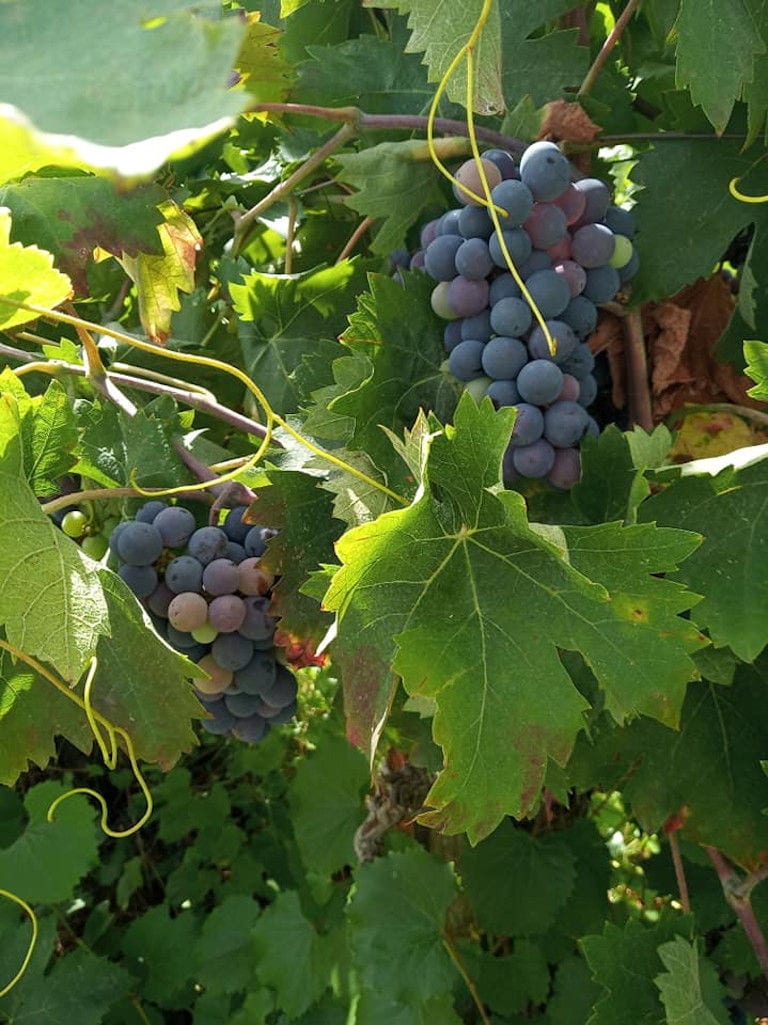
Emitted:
<point x="209" y="597"/>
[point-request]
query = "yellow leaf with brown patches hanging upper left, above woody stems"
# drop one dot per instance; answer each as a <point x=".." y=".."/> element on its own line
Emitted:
<point x="160" y="279"/>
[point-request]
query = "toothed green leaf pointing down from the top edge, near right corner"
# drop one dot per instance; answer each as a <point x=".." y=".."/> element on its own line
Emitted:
<point x="703" y="29"/>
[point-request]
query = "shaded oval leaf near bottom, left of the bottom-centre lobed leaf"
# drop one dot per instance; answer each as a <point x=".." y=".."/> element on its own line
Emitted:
<point x="289" y="949"/>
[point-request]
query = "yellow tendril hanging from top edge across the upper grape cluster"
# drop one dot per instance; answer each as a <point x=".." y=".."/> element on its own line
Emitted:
<point x="486" y="200"/>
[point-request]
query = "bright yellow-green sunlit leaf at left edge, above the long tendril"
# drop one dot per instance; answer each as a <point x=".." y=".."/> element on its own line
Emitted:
<point x="27" y="275"/>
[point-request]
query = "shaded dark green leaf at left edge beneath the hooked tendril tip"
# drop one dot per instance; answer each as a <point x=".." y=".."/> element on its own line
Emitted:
<point x="48" y="862"/>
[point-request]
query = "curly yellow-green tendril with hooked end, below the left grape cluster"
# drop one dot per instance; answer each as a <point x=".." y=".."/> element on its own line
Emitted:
<point x="96" y="719"/>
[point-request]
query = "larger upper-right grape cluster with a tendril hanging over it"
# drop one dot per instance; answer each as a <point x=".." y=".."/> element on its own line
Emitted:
<point x="574" y="251"/>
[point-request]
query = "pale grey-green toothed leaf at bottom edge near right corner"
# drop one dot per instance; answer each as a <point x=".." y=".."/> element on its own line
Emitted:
<point x="691" y="990"/>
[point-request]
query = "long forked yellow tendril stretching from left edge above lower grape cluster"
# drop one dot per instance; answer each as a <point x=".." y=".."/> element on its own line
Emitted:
<point x="273" y="419"/>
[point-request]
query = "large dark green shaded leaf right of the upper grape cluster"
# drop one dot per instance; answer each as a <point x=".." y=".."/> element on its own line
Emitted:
<point x="686" y="222"/>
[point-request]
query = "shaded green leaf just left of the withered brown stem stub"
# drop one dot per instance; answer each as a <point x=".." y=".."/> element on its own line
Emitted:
<point x="327" y="805"/>
